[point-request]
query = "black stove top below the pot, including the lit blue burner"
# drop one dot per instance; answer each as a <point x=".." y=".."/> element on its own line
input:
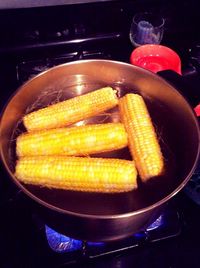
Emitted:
<point x="27" y="242"/>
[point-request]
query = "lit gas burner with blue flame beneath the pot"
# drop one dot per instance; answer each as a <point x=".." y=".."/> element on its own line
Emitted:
<point x="168" y="225"/>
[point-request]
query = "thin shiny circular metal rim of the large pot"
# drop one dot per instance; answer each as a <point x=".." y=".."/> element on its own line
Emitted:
<point x="96" y="216"/>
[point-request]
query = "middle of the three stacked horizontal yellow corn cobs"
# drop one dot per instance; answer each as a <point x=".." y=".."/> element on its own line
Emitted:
<point x="82" y="140"/>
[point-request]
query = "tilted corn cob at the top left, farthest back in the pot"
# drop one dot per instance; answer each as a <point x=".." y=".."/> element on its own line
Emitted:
<point x="72" y="110"/>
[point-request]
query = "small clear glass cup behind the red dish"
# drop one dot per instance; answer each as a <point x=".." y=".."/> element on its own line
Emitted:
<point x="146" y="28"/>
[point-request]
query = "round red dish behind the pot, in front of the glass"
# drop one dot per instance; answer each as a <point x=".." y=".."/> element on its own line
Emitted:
<point x="156" y="58"/>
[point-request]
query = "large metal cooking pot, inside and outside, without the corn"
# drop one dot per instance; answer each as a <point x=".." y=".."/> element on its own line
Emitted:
<point x="103" y="217"/>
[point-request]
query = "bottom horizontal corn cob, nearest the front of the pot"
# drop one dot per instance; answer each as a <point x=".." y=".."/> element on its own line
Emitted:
<point x="78" y="173"/>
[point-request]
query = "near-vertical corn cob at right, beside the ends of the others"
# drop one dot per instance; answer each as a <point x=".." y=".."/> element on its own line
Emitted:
<point x="142" y="139"/>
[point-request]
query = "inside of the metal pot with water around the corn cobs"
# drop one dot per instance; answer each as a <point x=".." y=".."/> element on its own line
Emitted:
<point x="172" y="117"/>
